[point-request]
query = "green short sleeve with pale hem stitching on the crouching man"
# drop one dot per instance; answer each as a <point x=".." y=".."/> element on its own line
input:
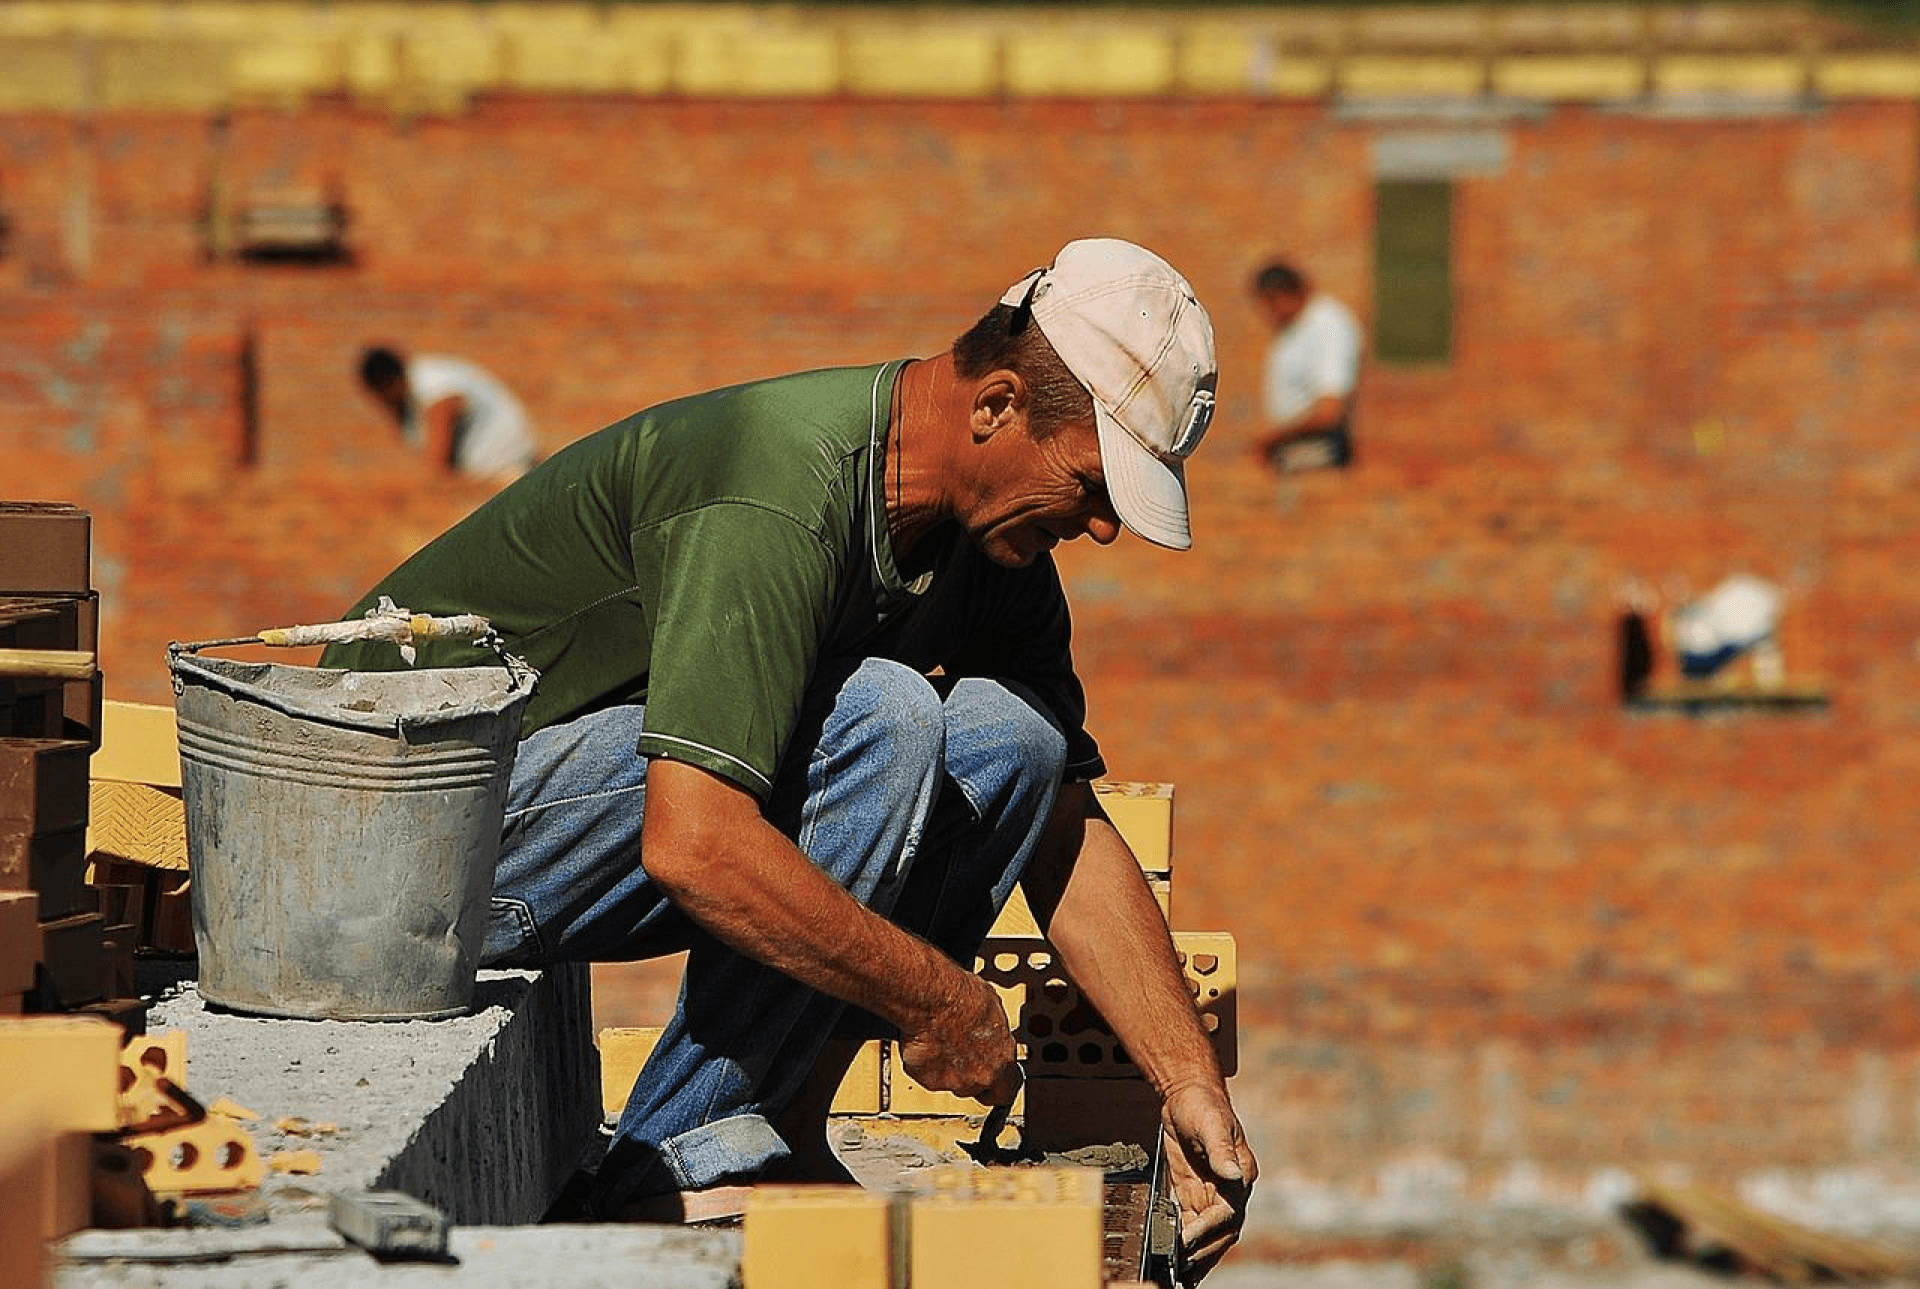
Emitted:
<point x="736" y="625"/>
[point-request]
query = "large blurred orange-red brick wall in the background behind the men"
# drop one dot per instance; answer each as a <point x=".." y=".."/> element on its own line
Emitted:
<point x="1487" y="917"/>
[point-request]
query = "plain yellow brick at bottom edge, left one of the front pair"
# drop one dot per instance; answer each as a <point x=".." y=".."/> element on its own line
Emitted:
<point x="817" y="1238"/>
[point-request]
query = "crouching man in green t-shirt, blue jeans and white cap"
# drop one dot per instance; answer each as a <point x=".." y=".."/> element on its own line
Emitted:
<point x="807" y="710"/>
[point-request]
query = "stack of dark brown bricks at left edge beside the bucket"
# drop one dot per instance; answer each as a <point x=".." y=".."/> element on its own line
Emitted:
<point x="62" y="952"/>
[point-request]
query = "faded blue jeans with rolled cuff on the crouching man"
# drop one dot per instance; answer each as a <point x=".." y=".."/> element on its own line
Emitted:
<point x="921" y="798"/>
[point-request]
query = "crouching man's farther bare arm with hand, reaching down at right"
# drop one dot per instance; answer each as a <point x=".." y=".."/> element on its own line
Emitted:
<point x="1088" y="892"/>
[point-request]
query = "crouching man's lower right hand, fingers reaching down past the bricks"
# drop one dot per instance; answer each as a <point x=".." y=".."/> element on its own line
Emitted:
<point x="1212" y="1171"/>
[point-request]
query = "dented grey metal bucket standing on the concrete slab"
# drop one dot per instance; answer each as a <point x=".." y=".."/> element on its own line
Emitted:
<point x="343" y="831"/>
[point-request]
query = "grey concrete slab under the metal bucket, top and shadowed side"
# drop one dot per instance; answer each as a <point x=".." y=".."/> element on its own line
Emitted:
<point x="485" y="1115"/>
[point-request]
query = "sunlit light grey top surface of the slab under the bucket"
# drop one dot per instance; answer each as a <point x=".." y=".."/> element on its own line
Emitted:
<point x="375" y="1081"/>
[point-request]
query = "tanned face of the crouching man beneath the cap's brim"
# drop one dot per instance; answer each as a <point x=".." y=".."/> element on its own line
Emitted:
<point x="1044" y="493"/>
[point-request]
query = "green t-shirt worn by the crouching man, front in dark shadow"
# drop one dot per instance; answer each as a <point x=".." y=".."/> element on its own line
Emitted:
<point x="708" y="554"/>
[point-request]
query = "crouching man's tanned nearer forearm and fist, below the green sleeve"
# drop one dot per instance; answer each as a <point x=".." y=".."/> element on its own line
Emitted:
<point x="708" y="846"/>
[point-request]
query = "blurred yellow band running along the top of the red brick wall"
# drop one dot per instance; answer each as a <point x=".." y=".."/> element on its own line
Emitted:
<point x="158" y="55"/>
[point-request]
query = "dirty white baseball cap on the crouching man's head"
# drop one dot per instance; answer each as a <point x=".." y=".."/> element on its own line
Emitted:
<point x="1136" y="335"/>
